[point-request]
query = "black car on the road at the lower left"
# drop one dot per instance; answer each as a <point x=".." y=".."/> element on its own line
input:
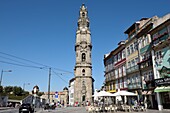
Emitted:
<point x="28" y="108"/>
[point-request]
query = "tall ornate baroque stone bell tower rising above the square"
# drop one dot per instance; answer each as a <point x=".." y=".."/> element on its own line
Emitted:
<point x="83" y="86"/>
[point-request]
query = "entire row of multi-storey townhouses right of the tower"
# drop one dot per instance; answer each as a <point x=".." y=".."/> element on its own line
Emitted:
<point x="147" y="61"/>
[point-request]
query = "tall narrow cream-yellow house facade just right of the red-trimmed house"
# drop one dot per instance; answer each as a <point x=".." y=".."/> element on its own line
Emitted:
<point x="132" y="58"/>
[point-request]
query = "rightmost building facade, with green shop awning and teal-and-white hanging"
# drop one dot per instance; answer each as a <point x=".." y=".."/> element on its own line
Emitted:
<point x="160" y="35"/>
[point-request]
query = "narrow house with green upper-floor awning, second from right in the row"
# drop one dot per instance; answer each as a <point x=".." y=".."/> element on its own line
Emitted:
<point x="145" y="61"/>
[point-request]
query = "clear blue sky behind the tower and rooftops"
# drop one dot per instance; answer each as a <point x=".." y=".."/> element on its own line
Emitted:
<point x="44" y="31"/>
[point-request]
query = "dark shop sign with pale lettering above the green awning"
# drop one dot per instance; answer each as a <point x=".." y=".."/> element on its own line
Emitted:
<point x="162" y="81"/>
